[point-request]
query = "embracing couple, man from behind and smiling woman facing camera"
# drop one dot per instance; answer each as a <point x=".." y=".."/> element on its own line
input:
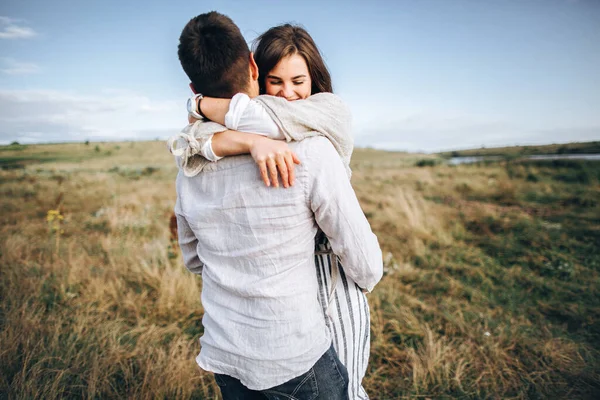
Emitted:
<point x="284" y="269"/>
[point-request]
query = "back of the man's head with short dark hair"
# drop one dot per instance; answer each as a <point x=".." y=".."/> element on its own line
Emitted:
<point x="214" y="55"/>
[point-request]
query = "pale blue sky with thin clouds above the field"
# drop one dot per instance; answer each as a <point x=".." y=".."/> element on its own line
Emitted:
<point x="418" y="75"/>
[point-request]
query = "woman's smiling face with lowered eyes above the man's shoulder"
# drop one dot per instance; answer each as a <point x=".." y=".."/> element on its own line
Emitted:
<point x="289" y="79"/>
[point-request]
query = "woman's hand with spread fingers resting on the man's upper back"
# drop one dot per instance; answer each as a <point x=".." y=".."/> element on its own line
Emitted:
<point x="273" y="156"/>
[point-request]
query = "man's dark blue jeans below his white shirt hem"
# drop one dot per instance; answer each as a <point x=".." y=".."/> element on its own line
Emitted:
<point x="327" y="379"/>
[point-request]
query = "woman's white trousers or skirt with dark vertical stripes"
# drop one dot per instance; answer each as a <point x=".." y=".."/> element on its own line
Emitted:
<point x="346" y="312"/>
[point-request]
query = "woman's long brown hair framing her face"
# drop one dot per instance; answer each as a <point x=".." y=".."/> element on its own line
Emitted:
<point x="283" y="41"/>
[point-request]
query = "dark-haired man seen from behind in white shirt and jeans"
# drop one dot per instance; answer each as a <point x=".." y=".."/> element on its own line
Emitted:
<point x="264" y="331"/>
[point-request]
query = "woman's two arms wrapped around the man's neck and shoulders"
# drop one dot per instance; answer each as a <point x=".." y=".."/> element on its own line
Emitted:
<point x="323" y="114"/>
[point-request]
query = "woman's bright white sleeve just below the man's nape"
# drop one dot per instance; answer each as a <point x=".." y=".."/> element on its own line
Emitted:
<point x="246" y="115"/>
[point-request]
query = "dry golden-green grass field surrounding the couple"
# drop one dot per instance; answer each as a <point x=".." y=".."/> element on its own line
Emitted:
<point x="491" y="286"/>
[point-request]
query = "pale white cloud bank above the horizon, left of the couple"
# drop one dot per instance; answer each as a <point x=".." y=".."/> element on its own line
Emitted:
<point x="30" y="116"/>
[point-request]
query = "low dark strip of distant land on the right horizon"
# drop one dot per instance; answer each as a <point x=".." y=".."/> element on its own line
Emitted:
<point x="568" y="148"/>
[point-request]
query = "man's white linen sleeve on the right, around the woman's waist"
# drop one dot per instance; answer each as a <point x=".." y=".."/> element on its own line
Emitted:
<point x="338" y="214"/>
